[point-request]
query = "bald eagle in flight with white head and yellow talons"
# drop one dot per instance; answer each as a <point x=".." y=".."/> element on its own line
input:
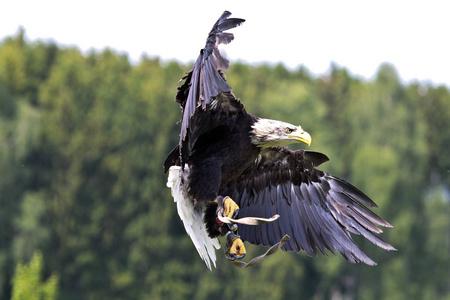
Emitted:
<point x="229" y="163"/>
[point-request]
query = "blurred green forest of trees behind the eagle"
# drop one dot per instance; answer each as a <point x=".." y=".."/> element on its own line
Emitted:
<point x="83" y="137"/>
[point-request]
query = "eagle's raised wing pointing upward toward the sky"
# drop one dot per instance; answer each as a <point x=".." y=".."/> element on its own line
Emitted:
<point x="206" y="83"/>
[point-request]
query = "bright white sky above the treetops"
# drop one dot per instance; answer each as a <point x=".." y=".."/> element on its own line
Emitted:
<point x="359" y="35"/>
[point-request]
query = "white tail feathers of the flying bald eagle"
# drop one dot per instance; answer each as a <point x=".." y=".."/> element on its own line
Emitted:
<point x="192" y="219"/>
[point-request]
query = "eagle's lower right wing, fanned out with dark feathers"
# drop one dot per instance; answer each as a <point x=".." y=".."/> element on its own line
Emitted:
<point x="317" y="210"/>
